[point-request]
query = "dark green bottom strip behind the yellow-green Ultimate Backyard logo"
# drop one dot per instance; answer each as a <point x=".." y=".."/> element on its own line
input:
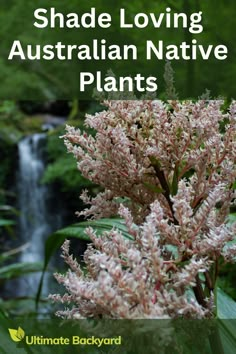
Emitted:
<point x="138" y="336"/>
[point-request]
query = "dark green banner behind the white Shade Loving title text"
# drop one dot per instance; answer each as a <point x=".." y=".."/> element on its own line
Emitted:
<point x="56" y="79"/>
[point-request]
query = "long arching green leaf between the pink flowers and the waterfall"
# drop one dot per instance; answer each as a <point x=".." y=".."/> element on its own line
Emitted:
<point x="77" y="230"/>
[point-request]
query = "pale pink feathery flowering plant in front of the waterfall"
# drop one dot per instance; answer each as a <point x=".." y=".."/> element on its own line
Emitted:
<point x="167" y="169"/>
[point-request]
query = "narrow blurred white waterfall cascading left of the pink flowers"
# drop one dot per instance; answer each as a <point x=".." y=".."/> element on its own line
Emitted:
<point x="36" y="219"/>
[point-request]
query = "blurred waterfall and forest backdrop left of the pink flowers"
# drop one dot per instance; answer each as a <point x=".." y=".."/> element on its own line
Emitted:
<point x="39" y="194"/>
